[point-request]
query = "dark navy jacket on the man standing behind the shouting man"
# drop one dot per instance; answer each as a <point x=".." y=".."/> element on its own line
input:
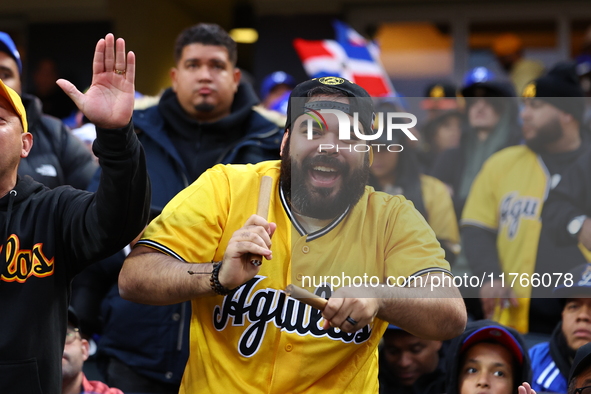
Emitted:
<point x="154" y="340"/>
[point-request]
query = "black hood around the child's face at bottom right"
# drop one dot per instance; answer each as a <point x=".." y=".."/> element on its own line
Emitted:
<point x="454" y="356"/>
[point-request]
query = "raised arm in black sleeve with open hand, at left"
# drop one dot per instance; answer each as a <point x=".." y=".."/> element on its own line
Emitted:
<point x="98" y="225"/>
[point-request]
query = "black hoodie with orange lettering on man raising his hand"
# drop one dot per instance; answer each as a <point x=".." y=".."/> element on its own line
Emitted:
<point x="49" y="235"/>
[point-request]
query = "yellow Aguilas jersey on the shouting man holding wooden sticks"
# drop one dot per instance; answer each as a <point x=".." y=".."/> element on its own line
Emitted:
<point x="258" y="340"/>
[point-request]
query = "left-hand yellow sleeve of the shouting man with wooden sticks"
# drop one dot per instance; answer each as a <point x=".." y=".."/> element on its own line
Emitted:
<point x="191" y="225"/>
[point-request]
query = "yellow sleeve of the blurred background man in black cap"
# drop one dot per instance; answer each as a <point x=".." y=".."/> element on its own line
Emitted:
<point x="481" y="207"/>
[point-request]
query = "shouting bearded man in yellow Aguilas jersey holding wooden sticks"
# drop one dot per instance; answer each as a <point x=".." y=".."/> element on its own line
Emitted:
<point x="247" y="335"/>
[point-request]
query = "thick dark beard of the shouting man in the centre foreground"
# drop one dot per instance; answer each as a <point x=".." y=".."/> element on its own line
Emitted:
<point x="316" y="202"/>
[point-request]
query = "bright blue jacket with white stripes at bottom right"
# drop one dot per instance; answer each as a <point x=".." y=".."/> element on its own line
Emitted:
<point x="546" y="375"/>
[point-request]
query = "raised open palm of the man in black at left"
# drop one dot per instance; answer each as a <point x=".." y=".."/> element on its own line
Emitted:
<point x="108" y="103"/>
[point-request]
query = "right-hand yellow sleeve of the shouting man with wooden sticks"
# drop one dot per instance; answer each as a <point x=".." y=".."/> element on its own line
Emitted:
<point x="412" y="248"/>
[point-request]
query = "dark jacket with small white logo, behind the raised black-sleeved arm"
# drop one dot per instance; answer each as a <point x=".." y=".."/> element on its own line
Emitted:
<point x="57" y="157"/>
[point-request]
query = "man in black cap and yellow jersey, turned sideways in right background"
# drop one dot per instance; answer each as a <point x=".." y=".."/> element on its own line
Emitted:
<point x="502" y="230"/>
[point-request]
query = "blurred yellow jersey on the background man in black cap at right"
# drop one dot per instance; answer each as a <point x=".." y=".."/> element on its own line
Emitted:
<point x="507" y="197"/>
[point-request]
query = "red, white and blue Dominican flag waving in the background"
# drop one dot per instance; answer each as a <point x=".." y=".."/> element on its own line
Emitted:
<point x="350" y="57"/>
